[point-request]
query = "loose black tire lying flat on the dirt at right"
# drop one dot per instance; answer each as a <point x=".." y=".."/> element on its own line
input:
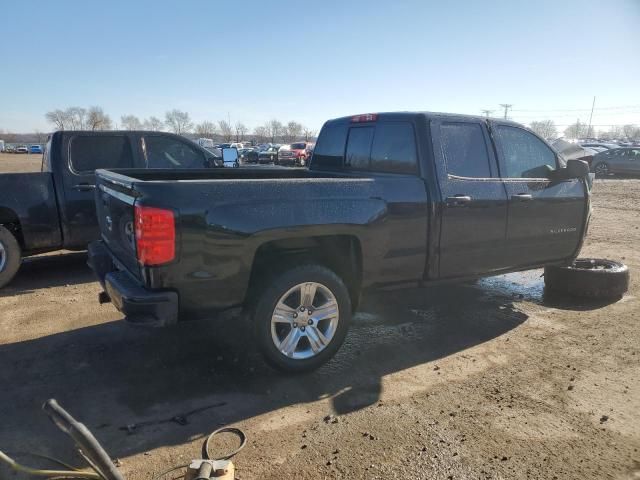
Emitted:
<point x="594" y="278"/>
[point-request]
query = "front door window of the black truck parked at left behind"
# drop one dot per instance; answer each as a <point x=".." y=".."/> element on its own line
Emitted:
<point x="168" y="152"/>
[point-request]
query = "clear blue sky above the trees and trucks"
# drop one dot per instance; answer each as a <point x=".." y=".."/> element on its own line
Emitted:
<point x="310" y="61"/>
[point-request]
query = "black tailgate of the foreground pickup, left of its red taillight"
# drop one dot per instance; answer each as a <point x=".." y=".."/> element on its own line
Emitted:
<point x="115" y="208"/>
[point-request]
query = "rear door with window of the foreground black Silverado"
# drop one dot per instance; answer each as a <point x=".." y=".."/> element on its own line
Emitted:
<point x="474" y="203"/>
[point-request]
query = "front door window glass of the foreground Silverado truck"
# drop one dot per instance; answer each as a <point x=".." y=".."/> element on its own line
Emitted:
<point x="524" y="154"/>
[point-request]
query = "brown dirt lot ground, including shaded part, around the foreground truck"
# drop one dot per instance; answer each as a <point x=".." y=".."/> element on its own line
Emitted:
<point x="490" y="380"/>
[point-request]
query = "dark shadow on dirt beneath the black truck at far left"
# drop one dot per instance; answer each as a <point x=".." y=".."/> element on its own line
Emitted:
<point x="45" y="271"/>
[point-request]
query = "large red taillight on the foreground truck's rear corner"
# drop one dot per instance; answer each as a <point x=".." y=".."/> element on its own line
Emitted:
<point x="155" y="235"/>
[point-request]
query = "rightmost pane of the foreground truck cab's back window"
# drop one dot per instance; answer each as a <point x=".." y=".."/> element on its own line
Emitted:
<point x="394" y="148"/>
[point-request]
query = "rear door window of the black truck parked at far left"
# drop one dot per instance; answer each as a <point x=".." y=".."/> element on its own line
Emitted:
<point x="91" y="152"/>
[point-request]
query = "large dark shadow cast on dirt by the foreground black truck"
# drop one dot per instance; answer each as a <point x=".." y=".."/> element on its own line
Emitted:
<point x="112" y="375"/>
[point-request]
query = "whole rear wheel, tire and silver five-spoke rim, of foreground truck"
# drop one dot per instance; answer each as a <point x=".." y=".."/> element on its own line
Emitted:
<point x="301" y="317"/>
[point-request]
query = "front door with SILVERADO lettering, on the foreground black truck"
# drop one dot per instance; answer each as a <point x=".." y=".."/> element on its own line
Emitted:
<point x="545" y="217"/>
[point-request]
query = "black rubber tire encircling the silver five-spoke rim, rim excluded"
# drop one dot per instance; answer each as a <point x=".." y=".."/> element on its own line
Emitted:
<point x="266" y="300"/>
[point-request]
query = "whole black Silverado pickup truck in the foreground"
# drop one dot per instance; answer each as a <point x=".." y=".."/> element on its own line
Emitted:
<point x="389" y="199"/>
